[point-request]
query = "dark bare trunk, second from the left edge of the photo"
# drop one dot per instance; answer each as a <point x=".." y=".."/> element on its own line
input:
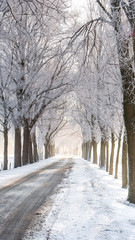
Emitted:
<point x="17" y="148"/>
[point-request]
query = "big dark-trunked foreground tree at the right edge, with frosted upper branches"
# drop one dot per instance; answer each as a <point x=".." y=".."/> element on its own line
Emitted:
<point x="122" y="18"/>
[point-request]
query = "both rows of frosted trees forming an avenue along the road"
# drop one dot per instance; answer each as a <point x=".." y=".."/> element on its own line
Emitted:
<point x="48" y="54"/>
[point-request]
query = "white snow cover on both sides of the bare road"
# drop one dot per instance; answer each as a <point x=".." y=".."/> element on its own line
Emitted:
<point x="88" y="205"/>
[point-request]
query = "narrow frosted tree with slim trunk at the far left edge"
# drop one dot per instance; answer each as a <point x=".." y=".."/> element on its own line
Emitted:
<point x="5" y="96"/>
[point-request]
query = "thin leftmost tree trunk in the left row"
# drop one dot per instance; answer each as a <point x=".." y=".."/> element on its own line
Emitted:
<point x="5" y="149"/>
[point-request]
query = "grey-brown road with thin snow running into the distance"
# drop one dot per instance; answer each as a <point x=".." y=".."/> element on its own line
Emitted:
<point x="20" y="200"/>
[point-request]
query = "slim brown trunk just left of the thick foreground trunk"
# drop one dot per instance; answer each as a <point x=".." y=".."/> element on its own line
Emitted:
<point x="124" y="163"/>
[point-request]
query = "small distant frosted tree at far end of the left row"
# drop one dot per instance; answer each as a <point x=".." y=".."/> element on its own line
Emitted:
<point x="52" y="121"/>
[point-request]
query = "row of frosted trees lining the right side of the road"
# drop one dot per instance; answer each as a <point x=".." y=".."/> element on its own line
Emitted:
<point x="106" y="106"/>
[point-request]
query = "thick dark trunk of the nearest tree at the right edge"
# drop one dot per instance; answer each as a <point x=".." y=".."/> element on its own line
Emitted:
<point x="129" y="118"/>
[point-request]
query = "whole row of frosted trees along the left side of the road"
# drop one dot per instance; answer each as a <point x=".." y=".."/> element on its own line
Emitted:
<point x="33" y="69"/>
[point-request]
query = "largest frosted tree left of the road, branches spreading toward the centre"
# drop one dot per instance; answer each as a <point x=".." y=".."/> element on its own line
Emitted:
<point x="39" y="67"/>
